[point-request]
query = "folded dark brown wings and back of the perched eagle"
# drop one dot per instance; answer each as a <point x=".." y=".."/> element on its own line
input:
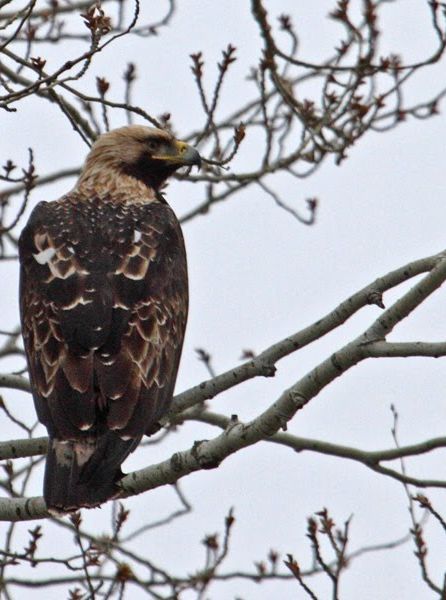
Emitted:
<point x="103" y="297"/>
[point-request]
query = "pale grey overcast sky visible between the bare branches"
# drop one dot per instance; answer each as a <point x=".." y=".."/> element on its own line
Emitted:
<point x="256" y="276"/>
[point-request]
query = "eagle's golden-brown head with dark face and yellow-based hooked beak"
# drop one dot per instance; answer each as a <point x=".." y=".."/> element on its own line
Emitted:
<point x="147" y="154"/>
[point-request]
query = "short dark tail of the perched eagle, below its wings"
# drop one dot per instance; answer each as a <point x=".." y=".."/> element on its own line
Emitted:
<point x="84" y="473"/>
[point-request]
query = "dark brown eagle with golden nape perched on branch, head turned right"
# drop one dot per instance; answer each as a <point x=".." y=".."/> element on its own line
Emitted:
<point x="103" y="305"/>
